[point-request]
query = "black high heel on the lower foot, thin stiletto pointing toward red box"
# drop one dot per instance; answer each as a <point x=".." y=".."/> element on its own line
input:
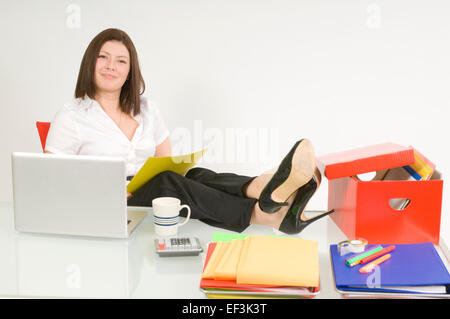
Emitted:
<point x="294" y="221"/>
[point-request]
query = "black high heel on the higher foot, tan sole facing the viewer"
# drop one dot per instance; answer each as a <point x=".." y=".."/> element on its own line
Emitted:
<point x="296" y="169"/>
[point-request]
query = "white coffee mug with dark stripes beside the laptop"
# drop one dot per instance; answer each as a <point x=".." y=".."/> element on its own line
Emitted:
<point x="165" y="215"/>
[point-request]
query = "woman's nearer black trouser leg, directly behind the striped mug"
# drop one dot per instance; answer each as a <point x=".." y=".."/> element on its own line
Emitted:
<point x="210" y="205"/>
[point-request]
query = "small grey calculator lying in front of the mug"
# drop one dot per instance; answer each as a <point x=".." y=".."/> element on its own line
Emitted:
<point x="178" y="246"/>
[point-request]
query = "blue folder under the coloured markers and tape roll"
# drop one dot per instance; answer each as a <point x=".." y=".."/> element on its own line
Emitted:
<point x="410" y="265"/>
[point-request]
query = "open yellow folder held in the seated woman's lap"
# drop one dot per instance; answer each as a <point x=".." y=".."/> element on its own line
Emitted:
<point x="154" y="165"/>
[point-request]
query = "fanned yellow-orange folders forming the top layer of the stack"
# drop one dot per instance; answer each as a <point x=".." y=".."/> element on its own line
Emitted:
<point x="265" y="260"/>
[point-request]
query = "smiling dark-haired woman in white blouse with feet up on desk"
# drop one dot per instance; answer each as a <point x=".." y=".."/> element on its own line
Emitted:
<point x="110" y="117"/>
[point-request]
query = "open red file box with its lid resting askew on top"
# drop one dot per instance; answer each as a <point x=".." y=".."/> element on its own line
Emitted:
<point x="362" y="208"/>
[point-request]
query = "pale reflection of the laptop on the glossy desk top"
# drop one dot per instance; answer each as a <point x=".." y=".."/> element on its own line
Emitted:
<point x="61" y="266"/>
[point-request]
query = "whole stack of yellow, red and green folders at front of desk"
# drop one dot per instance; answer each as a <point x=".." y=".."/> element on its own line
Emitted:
<point x="261" y="266"/>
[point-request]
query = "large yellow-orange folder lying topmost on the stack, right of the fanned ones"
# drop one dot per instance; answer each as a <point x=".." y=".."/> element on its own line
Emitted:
<point x="282" y="261"/>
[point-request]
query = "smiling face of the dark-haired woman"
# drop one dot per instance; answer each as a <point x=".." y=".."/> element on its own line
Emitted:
<point x="112" y="67"/>
